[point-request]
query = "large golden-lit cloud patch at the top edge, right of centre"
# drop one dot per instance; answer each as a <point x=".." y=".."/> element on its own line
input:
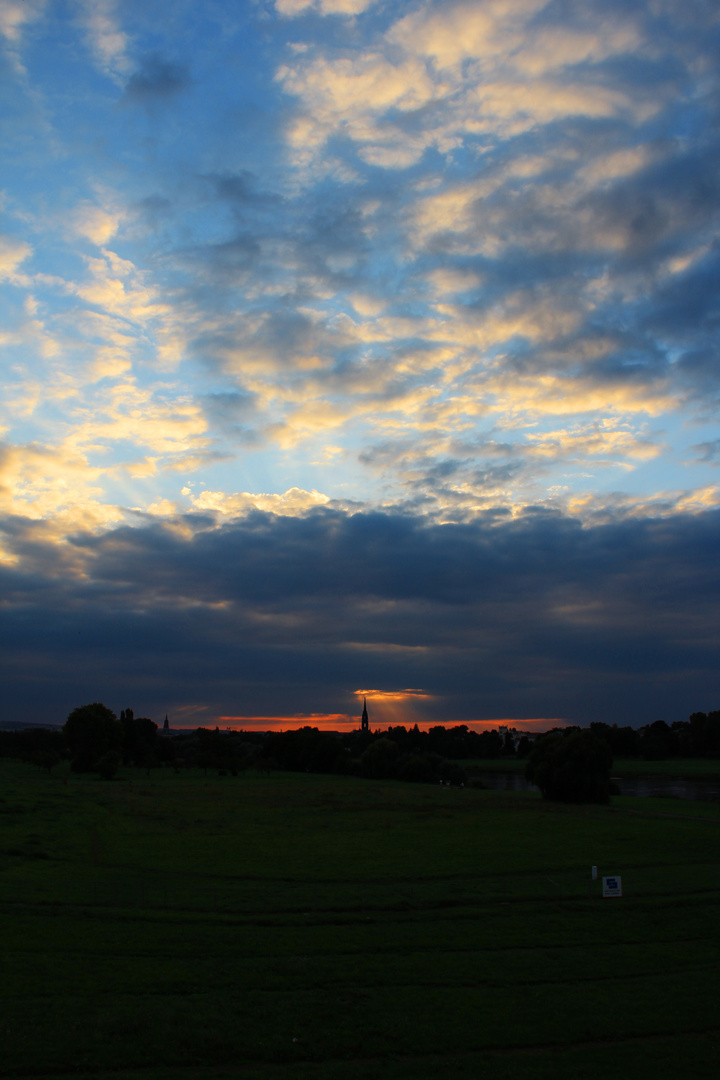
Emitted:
<point x="474" y="61"/>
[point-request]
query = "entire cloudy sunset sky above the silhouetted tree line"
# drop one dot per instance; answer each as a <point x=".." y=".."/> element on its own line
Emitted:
<point x="360" y="348"/>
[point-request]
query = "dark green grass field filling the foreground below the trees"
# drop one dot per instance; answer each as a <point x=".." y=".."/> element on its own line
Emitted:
<point x="310" y="927"/>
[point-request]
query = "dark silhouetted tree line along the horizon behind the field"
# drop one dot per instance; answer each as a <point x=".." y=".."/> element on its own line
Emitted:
<point x="569" y="764"/>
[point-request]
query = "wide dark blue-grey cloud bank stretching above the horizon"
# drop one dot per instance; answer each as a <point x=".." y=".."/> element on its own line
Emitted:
<point x="534" y="616"/>
